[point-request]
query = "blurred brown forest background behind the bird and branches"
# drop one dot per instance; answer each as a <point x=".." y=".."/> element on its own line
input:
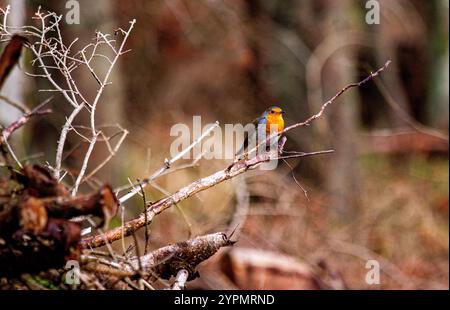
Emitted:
<point x="382" y="195"/>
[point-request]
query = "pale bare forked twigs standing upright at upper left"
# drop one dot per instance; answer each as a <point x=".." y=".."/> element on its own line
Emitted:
<point x="53" y="58"/>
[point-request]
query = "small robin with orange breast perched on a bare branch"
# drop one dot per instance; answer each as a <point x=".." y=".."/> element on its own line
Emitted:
<point x="272" y="118"/>
